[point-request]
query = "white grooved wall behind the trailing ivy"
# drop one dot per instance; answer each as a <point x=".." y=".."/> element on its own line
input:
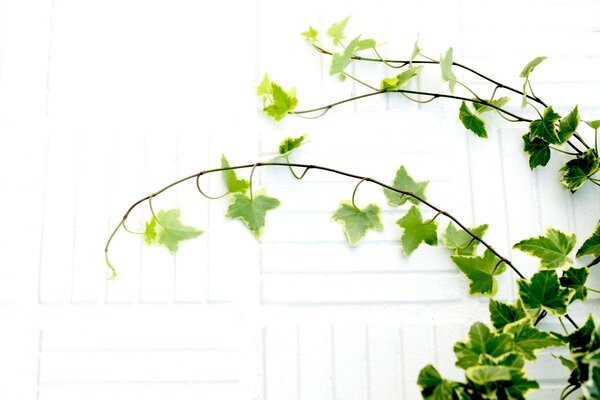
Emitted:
<point x="104" y="102"/>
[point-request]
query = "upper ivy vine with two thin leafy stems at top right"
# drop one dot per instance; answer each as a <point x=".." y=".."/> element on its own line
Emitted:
<point x="547" y="130"/>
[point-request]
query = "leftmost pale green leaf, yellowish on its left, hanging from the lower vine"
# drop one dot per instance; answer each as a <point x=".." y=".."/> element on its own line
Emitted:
<point x="167" y="230"/>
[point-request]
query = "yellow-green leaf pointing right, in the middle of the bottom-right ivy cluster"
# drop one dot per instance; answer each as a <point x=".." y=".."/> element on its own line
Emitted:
<point x="529" y="339"/>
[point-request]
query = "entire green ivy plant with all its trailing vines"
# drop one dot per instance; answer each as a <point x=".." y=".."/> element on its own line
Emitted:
<point x="494" y="354"/>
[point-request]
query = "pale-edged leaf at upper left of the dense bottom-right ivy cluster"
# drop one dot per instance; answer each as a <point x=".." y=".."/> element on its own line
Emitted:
<point x="481" y="342"/>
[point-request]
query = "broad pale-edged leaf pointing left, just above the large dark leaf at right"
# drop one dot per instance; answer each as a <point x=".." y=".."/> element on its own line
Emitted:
<point x="552" y="249"/>
